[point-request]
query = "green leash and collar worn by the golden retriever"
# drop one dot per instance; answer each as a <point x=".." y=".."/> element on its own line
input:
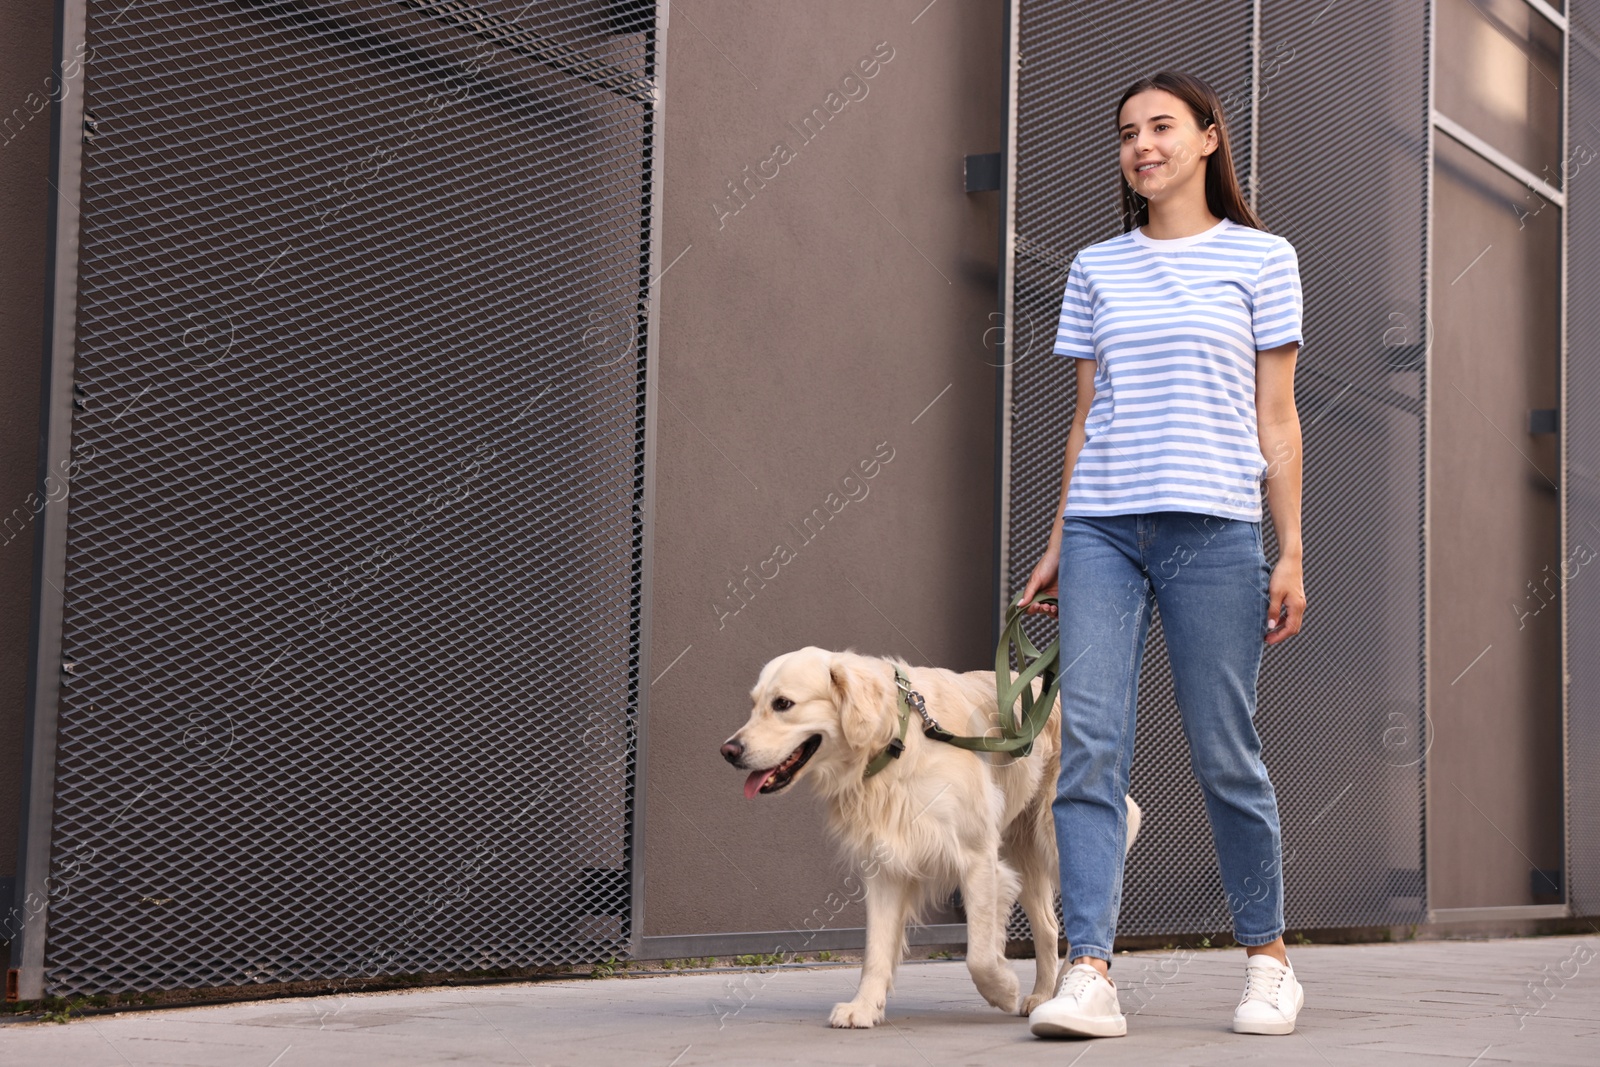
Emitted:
<point x="1015" y="737"/>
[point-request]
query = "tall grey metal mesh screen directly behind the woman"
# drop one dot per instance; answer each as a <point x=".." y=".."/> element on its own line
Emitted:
<point x="1342" y="705"/>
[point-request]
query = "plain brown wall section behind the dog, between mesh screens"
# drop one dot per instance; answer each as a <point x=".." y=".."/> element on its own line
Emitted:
<point x="798" y="337"/>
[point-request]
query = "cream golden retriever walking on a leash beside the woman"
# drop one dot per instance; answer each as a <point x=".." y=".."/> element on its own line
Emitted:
<point x="935" y="820"/>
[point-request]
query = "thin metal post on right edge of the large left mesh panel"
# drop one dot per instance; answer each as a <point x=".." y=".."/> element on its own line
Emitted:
<point x="652" y="378"/>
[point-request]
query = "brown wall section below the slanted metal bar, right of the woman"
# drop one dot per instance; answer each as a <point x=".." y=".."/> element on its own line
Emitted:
<point x="1495" y="653"/>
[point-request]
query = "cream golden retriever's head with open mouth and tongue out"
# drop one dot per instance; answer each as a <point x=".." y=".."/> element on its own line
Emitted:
<point x="817" y="713"/>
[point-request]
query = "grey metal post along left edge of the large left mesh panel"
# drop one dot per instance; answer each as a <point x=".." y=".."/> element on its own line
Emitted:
<point x="50" y="535"/>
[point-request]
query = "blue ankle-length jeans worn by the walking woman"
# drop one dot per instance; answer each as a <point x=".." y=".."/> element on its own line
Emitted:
<point x="1210" y="580"/>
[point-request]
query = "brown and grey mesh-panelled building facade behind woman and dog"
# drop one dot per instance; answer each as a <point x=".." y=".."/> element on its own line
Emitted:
<point x="428" y="418"/>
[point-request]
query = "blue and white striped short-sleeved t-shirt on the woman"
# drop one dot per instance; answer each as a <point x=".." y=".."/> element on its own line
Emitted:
<point x="1174" y="327"/>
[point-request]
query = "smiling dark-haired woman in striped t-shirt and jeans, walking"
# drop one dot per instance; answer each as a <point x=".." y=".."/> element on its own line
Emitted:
<point x="1185" y="330"/>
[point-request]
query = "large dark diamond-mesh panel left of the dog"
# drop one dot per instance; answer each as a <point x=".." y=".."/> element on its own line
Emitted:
<point x="353" y="589"/>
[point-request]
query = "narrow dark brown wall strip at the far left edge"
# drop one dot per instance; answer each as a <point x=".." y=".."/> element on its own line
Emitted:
<point x="28" y="34"/>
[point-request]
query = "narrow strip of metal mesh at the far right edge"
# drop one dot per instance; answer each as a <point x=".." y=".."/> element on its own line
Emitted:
<point x="1582" y="428"/>
